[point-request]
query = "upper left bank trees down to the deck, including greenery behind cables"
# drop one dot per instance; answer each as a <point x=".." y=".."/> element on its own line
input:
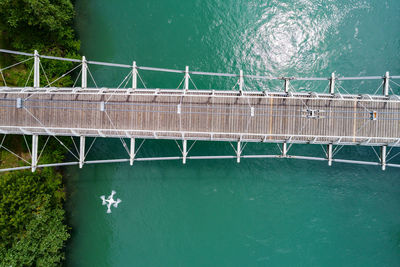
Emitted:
<point x="43" y="25"/>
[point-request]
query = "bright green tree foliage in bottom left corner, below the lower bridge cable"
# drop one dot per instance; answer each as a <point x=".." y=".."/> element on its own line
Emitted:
<point x="31" y="218"/>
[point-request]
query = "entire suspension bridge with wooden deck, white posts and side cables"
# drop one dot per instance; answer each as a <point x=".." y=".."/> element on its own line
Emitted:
<point x="332" y="119"/>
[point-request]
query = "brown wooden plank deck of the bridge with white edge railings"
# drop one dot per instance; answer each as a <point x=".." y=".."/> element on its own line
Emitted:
<point x="204" y="115"/>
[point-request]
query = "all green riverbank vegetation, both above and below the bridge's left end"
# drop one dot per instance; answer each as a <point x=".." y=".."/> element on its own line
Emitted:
<point x="32" y="219"/>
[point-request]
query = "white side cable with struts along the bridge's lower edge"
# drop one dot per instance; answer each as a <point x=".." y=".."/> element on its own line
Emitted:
<point x="329" y="154"/>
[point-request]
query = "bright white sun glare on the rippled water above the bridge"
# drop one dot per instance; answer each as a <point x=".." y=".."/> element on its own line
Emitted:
<point x="292" y="38"/>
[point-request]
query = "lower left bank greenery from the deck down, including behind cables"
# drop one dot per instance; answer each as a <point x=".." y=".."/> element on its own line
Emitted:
<point x="32" y="219"/>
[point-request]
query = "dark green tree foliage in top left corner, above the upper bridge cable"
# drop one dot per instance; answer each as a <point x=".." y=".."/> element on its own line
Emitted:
<point x="45" y="25"/>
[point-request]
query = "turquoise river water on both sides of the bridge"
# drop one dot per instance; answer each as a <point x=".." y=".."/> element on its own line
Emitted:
<point x="217" y="212"/>
